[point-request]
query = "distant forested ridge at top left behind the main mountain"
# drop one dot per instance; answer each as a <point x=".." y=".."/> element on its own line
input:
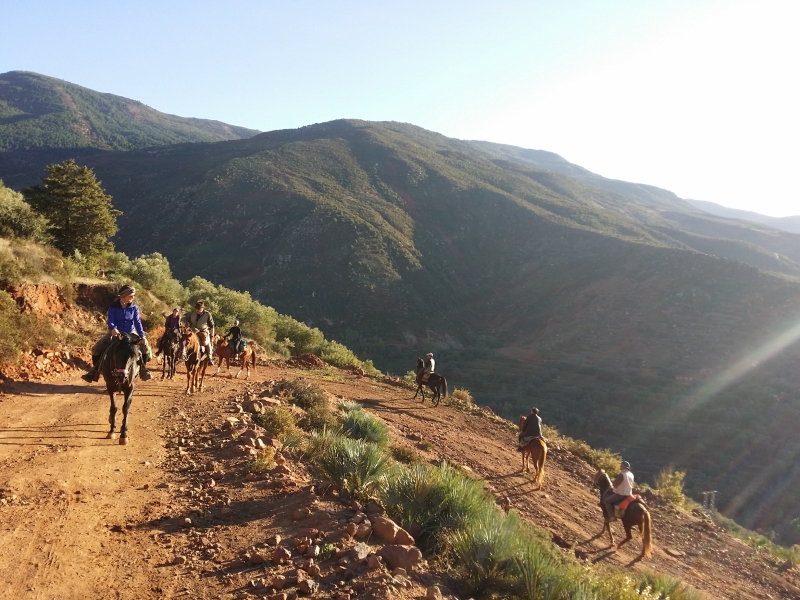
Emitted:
<point x="39" y="112"/>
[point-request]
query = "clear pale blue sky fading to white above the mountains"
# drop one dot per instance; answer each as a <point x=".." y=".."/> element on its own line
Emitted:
<point x="700" y="97"/>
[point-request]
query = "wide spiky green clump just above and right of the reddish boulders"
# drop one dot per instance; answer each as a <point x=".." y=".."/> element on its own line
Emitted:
<point x="436" y="499"/>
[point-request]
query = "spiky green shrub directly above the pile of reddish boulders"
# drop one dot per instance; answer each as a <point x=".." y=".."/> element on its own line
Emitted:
<point x="354" y="466"/>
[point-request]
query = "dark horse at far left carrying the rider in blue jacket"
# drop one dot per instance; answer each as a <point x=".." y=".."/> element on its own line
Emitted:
<point x="120" y="367"/>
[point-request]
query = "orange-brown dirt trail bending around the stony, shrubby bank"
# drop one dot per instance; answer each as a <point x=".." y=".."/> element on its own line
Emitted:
<point x="81" y="525"/>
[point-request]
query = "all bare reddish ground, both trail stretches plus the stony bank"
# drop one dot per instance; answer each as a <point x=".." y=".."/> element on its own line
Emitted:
<point x="193" y="507"/>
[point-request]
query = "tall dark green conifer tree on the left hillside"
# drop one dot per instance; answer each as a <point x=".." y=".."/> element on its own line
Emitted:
<point x="80" y="212"/>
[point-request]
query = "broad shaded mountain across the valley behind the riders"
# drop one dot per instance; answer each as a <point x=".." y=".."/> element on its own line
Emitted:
<point x="632" y="318"/>
